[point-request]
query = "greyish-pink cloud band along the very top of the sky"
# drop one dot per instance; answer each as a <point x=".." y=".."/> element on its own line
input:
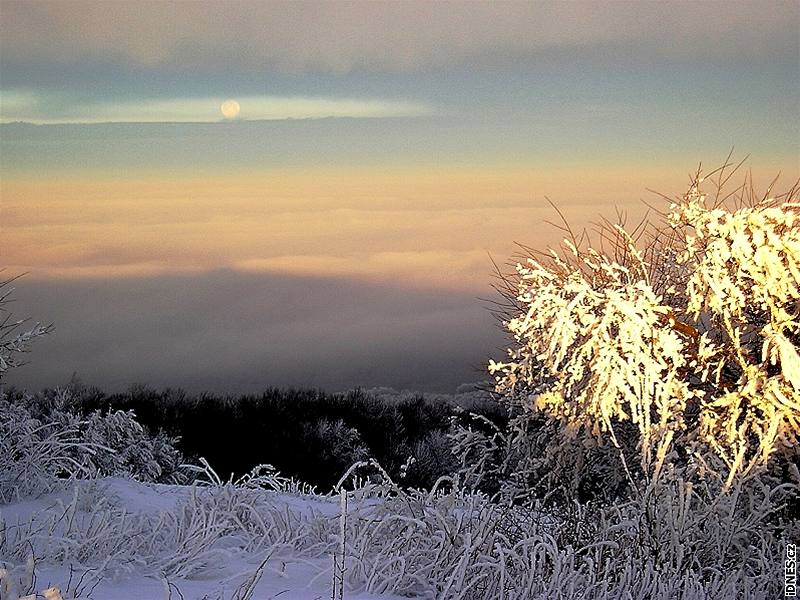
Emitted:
<point x="408" y="36"/>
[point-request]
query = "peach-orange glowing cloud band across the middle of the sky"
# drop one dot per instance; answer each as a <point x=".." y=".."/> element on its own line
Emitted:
<point x="434" y="228"/>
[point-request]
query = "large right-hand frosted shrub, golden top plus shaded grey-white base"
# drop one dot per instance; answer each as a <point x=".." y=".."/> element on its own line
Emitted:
<point x="658" y="375"/>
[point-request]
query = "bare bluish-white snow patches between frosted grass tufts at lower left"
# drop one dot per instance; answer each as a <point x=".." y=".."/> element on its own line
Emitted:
<point x="287" y="575"/>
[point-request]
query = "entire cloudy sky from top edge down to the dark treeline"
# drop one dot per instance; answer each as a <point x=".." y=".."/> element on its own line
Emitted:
<point x="338" y="227"/>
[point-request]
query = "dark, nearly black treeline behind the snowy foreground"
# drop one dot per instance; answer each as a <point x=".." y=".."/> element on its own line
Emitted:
<point x="311" y="435"/>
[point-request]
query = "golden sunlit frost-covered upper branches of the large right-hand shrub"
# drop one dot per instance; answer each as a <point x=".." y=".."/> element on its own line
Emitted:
<point x="677" y="341"/>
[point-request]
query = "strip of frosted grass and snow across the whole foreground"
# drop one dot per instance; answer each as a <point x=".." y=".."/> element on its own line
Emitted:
<point x="104" y="538"/>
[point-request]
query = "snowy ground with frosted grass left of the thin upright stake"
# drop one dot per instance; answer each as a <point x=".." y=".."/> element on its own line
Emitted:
<point x="73" y="532"/>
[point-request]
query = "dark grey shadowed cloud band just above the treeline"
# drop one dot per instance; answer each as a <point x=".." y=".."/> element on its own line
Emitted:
<point x="231" y="332"/>
